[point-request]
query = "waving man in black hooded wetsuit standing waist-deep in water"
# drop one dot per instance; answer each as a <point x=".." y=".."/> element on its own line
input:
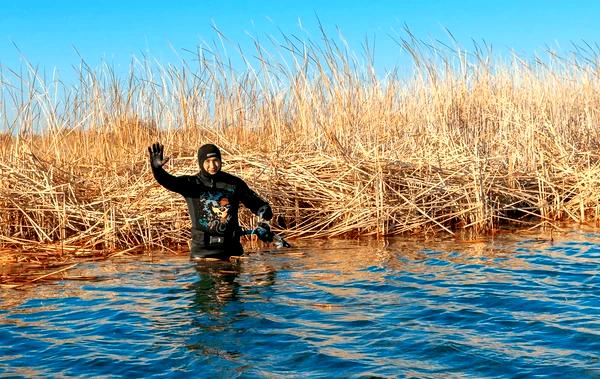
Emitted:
<point x="213" y="198"/>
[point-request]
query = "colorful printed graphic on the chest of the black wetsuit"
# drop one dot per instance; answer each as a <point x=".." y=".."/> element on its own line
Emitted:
<point x="212" y="212"/>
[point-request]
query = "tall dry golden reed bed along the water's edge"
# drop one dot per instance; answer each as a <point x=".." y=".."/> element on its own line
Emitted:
<point x="463" y="143"/>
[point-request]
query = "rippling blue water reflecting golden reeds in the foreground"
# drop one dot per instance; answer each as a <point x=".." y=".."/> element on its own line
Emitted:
<point x="512" y="306"/>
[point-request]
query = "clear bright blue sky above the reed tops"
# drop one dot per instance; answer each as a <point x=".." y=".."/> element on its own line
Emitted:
<point x="52" y="34"/>
